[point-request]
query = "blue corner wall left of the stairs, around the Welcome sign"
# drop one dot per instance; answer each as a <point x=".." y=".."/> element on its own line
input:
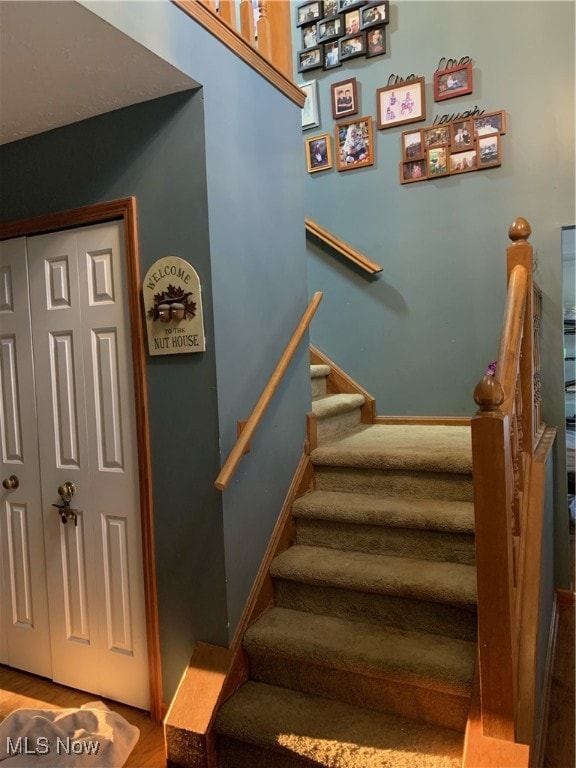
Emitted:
<point x="218" y="182"/>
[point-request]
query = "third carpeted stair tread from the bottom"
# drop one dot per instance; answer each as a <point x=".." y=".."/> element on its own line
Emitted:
<point x="438" y="581"/>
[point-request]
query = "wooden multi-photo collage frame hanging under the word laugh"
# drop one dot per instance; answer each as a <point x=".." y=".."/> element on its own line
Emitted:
<point x="460" y="146"/>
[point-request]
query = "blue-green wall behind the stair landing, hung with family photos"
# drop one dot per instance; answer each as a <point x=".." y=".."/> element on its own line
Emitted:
<point x="419" y="336"/>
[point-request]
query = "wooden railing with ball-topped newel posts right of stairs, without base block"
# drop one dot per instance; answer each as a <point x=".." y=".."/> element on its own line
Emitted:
<point x="505" y="433"/>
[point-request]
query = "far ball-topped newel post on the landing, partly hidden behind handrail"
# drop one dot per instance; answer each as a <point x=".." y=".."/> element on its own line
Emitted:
<point x="520" y="252"/>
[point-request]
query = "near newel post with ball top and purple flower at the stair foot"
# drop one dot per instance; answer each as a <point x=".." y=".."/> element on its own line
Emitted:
<point x="493" y="490"/>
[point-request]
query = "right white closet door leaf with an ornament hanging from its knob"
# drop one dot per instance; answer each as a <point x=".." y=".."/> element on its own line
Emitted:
<point x="87" y="437"/>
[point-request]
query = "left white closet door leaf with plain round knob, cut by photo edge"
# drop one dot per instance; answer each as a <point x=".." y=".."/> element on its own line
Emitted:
<point x="24" y="631"/>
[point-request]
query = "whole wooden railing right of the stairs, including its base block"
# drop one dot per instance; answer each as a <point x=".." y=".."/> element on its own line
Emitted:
<point x="510" y="445"/>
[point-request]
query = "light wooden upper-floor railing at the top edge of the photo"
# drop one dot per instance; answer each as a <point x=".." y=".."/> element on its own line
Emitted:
<point x="264" y="43"/>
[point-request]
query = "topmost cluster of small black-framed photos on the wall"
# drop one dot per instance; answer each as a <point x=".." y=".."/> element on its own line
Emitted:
<point x="334" y="31"/>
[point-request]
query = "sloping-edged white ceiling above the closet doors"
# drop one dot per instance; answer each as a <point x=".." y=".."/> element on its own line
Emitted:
<point x="60" y="63"/>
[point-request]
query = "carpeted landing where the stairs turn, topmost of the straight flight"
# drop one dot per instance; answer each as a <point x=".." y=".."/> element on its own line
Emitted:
<point x="417" y="448"/>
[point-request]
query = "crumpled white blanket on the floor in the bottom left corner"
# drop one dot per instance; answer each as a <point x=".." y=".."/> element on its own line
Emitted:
<point x="90" y="737"/>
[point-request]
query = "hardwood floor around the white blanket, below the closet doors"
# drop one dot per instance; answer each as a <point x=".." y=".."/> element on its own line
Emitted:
<point x="20" y="689"/>
